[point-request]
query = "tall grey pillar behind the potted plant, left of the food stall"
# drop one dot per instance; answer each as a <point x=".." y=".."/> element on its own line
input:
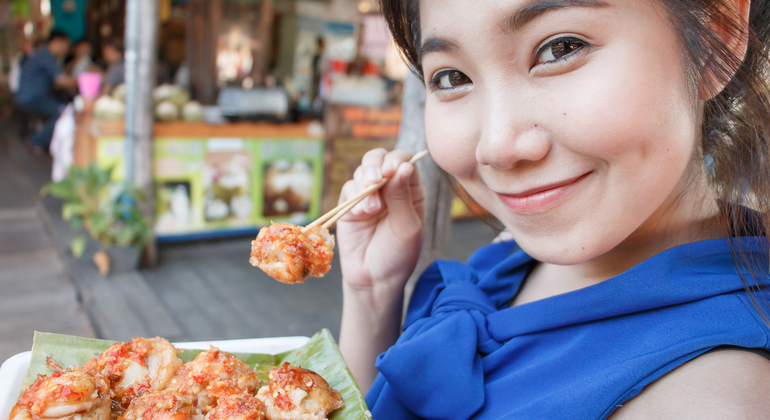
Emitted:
<point x="140" y="57"/>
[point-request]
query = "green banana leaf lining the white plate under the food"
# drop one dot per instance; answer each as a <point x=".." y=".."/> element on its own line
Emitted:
<point x="320" y="354"/>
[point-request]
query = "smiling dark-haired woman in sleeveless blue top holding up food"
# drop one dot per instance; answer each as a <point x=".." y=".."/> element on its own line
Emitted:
<point x="618" y="141"/>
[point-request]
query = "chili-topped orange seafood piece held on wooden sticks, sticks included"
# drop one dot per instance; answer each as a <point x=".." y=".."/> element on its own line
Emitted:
<point x="291" y="254"/>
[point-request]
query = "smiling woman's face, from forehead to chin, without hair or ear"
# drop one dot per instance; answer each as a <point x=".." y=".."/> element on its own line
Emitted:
<point x="569" y="120"/>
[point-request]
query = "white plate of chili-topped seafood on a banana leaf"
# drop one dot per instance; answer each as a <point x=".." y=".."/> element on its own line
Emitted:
<point x="152" y="379"/>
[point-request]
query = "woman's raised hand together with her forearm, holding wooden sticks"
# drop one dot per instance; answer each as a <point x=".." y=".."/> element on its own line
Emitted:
<point x="379" y="244"/>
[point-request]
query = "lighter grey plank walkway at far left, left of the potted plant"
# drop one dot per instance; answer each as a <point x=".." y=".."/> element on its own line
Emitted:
<point x="35" y="290"/>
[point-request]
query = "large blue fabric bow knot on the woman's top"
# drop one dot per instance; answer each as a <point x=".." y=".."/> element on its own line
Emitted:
<point x="435" y="357"/>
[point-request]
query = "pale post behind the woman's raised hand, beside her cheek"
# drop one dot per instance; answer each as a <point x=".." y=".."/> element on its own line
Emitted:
<point x="438" y="190"/>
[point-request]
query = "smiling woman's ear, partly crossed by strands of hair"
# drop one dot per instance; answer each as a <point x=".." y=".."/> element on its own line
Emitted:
<point x="731" y="28"/>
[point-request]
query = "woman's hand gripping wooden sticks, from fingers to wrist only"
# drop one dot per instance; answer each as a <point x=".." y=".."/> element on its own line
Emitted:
<point x="380" y="239"/>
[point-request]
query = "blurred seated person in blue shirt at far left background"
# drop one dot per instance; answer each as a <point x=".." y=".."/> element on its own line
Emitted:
<point x="40" y="74"/>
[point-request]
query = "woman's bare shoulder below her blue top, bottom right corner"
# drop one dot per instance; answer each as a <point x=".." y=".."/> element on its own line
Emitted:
<point x="725" y="385"/>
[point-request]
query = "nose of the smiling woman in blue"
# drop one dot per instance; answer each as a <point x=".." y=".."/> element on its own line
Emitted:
<point x="510" y="135"/>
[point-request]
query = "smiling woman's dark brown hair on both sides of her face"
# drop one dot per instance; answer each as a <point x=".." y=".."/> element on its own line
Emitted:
<point x="735" y="138"/>
